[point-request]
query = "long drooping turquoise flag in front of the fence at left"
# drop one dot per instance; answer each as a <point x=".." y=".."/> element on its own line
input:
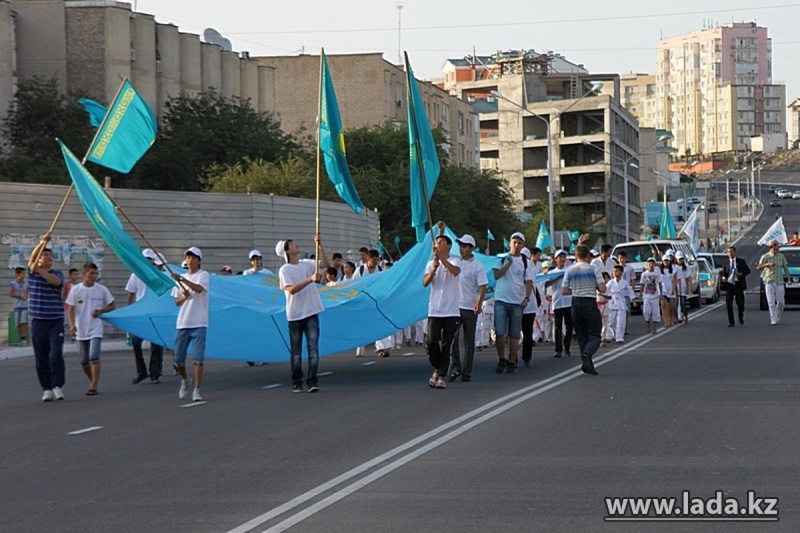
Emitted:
<point x="100" y="210"/>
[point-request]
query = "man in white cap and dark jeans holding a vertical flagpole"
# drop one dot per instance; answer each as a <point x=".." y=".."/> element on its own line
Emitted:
<point x="299" y="278"/>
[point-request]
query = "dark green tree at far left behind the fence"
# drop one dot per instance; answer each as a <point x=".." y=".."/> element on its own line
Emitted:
<point x="39" y="115"/>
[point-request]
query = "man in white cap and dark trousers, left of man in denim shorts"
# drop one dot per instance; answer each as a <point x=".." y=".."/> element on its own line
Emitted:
<point x="473" y="282"/>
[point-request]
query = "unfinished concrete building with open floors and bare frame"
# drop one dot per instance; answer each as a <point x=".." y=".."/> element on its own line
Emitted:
<point x="541" y="108"/>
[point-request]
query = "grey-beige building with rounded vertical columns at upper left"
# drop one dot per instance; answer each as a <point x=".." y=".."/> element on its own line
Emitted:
<point x="90" y="45"/>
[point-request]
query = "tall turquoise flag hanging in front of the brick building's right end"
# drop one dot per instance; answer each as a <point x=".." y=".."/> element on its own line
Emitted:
<point x="423" y="160"/>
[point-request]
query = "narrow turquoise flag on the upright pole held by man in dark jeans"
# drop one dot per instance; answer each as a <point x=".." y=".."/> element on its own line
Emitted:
<point x="331" y="141"/>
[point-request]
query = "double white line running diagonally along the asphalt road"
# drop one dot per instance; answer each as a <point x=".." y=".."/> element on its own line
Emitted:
<point x="499" y="405"/>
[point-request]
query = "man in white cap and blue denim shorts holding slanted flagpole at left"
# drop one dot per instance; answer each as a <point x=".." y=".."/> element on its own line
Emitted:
<point x="191" y="296"/>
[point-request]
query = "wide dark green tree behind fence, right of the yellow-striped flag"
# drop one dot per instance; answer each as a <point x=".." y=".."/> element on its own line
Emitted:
<point x="199" y="132"/>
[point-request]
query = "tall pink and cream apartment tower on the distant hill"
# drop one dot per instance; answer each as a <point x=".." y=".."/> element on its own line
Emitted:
<point x="714" y="89"/>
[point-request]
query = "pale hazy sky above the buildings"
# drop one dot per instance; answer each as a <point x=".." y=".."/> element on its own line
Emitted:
<point x="613" y="36"/>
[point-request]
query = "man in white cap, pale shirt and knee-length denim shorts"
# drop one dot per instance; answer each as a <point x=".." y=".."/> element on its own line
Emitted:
<point x="513" y="292"/>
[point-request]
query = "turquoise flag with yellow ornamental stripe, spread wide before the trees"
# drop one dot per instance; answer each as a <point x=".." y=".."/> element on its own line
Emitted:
<point x="127" y="132"/>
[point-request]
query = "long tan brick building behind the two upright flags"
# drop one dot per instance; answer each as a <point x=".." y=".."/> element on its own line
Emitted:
<point x="370" y="91"/>
